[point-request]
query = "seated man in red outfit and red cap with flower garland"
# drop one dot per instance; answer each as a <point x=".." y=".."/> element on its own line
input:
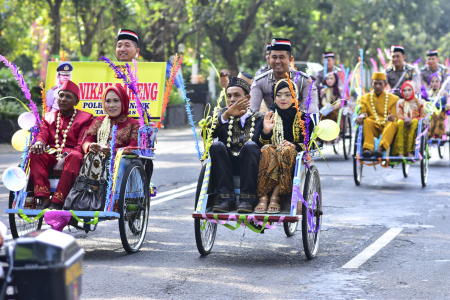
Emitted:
<point x="58" y="148"/>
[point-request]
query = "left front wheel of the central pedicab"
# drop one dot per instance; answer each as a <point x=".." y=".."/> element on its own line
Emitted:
<point x="205" y="231"/>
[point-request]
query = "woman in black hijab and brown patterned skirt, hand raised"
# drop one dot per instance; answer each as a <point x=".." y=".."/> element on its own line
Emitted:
<point x="283" y="138"/>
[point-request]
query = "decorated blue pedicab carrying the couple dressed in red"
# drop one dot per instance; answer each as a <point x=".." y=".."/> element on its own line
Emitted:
<point x="129" y="187"/>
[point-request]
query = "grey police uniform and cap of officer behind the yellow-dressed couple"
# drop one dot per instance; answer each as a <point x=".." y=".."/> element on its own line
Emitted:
<point x="396" y="78"/>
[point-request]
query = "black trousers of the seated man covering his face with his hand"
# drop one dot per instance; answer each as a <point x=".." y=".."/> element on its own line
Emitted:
<point x="224" y="165"/>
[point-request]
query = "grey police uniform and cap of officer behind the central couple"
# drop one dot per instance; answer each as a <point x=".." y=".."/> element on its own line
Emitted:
<point x="262" y="87"/>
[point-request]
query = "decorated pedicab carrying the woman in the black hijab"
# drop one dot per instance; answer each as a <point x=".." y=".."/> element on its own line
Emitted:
<point x="306" y="190"/>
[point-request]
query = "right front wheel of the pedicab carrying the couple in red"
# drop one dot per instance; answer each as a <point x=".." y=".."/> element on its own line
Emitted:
<point x="134" y="206"/>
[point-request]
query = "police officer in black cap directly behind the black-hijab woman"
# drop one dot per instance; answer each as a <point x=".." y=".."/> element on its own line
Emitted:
<point x="279" y="60"/>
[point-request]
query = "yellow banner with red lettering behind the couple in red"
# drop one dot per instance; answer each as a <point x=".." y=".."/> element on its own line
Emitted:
<point x="94" y="77"/>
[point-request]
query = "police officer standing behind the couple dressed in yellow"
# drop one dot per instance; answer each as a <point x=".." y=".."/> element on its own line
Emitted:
<point x="400" y="71"/>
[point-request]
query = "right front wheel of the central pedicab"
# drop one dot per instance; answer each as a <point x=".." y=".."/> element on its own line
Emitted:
<point x="312" y="193"/>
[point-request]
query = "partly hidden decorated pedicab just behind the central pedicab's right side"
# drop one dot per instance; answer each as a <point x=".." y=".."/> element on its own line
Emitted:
<point x="344" y="116"/>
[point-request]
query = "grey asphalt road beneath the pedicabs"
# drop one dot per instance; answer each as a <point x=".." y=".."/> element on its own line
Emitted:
<point x="415" y="264"/>
